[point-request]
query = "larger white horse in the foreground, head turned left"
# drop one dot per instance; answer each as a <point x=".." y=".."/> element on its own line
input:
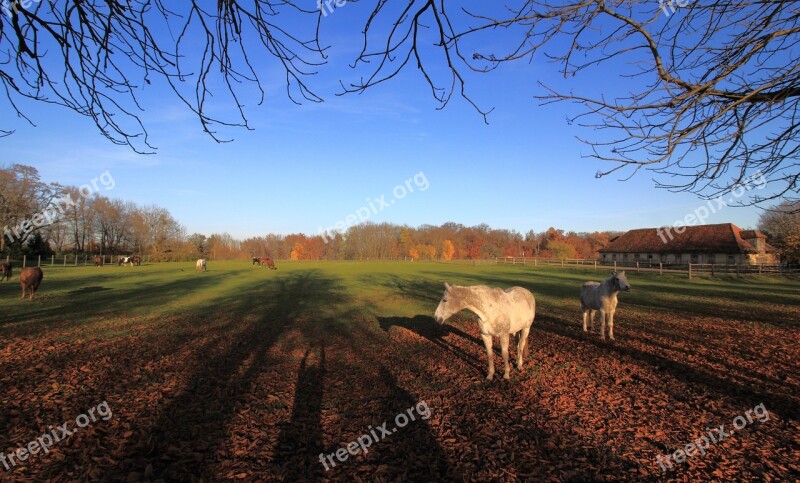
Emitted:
<point x="501" y="312"/>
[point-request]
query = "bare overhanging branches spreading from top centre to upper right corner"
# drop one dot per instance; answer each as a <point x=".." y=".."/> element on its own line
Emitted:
<point x="714" y="87"/>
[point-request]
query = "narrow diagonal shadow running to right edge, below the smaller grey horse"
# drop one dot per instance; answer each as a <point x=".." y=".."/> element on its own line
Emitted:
<point x="742" y="391"/>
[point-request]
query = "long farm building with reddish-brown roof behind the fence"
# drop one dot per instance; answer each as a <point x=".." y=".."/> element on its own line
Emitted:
<point x="721" y="244"/>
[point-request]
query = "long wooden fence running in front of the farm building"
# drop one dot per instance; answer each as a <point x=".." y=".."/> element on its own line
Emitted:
<point x="690" y="269"/>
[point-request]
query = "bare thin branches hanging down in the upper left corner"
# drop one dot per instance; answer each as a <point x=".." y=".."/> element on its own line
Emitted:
<point x="96" y="56"/>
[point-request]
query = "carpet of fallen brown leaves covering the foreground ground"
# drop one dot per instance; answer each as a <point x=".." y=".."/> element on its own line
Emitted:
<point x="261" y="399"/>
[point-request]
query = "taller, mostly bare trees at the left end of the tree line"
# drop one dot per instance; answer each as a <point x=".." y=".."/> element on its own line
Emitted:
<point x="41" y="218"/>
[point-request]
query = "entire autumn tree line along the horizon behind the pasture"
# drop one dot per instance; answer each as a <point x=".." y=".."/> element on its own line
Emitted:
<point x="44" y="219"/>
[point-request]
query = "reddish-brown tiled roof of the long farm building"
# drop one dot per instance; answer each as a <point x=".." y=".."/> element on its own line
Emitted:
<point x="720" y="238"/>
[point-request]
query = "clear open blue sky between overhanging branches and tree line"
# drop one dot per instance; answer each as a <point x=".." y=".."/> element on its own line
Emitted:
<point x="310" y="166"/>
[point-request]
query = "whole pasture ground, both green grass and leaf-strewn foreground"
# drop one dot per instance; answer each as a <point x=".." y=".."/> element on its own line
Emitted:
<point x="245" y="373"/>
